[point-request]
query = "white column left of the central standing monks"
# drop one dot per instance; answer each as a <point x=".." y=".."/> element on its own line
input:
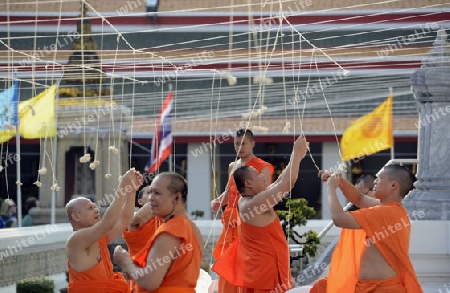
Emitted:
<point x="199" y="177"/>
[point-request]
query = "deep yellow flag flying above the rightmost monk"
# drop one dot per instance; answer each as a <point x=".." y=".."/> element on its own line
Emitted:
<point x="369" y="134"/>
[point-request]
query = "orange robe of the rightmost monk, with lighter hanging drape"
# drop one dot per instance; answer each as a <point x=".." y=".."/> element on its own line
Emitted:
<point x="388" y="227"/>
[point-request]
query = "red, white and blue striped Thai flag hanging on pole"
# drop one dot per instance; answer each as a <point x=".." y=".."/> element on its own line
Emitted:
<point x="162" y="140"/>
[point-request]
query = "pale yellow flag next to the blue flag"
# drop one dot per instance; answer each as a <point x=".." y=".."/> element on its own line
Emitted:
<point x="37" y="115"/>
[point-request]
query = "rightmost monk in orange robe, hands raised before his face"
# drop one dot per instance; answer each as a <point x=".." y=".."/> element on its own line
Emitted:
<point x="382" y="263"/>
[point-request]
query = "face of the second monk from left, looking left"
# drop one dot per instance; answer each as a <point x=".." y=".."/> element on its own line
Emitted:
<point x="162" y="200"/>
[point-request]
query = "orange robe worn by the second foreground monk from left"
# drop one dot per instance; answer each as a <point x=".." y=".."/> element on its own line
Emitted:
<point x="185" y="270"/>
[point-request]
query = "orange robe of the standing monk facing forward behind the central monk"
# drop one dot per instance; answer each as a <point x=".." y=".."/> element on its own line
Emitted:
<point x="229" y="216"/>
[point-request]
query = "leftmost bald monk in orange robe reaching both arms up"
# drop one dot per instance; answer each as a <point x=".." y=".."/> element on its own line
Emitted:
<point x="88" y="259"/>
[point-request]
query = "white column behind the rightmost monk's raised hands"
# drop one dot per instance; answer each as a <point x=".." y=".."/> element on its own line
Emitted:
<point x="330" y="160"/>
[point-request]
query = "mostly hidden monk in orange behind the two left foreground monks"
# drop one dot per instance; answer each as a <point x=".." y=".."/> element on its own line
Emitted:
<point x="142" y="227"/>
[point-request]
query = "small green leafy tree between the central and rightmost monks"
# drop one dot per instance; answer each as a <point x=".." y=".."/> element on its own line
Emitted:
<point x="297" y="213"/>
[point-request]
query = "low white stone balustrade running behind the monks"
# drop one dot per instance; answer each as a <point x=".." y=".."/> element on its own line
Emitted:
<point x="39" y="250"/>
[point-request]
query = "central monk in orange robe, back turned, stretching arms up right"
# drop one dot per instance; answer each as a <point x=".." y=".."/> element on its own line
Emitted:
<point x="258" y="261"/>
